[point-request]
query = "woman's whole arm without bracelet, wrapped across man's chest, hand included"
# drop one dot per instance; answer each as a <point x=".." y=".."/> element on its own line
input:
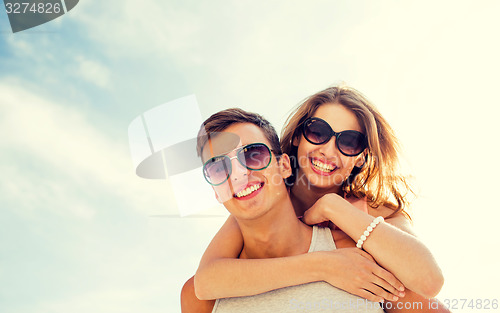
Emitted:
<point x="221" y="275"/>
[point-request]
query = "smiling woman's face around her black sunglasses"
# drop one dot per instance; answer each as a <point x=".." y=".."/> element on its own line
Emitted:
<point x="324" y="166"/>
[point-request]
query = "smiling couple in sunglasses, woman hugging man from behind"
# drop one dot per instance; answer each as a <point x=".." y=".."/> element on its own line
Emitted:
<point x="336" y="163"/>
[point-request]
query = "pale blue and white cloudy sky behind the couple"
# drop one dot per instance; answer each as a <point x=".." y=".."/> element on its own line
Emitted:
<point x="81" y="232"/>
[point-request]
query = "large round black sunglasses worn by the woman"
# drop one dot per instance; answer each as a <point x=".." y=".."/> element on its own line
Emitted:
<point x="318" y="132"/>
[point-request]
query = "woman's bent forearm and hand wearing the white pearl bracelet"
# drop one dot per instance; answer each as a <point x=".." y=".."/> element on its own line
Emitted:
<point x="398" y="251"/>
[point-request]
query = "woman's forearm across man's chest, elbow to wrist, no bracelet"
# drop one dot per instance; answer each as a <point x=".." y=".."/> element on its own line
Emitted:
<point x="227" y="277"/>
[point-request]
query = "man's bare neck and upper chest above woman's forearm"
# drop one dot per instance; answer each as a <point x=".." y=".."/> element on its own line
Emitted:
<point x="278" y="233"/>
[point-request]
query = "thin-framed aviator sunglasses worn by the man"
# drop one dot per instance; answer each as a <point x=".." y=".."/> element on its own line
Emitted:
<point x="255" y="157"/>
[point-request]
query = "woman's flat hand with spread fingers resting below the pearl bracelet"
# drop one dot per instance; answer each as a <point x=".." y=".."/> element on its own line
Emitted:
<point x="355" y="271"/>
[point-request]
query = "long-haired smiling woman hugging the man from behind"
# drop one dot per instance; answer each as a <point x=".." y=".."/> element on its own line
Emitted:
<point x="342" y="148"/>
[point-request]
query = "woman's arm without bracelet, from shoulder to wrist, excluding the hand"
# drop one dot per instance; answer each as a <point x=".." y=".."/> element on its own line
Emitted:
<point x="221" y="274"/>
